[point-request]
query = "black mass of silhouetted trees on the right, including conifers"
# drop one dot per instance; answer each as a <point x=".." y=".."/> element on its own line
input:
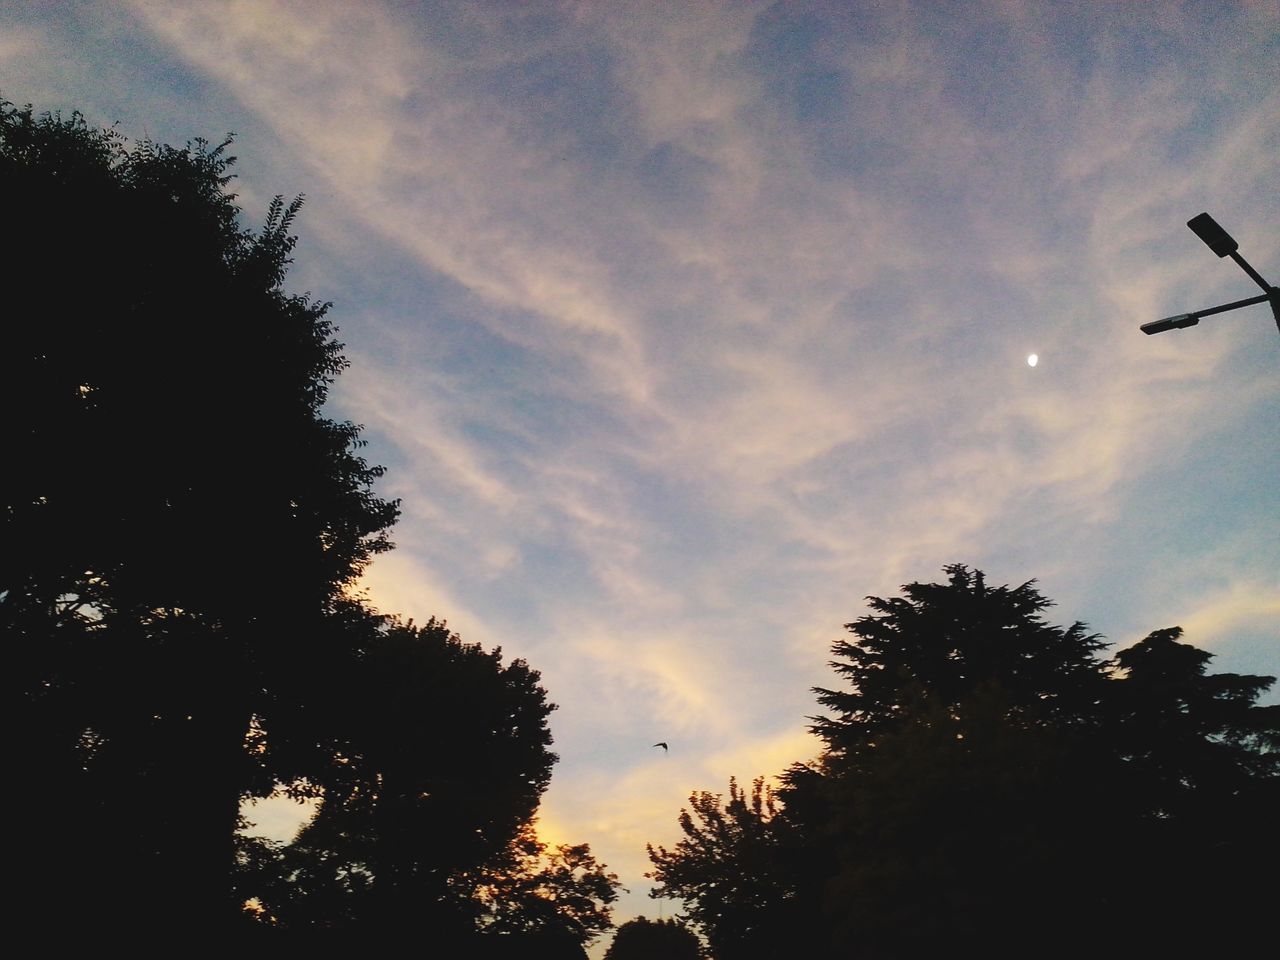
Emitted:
<point x="991" y="787"/>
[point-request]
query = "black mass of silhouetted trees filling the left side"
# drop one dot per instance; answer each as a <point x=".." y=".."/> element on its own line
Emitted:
<point x="182" y="531"/>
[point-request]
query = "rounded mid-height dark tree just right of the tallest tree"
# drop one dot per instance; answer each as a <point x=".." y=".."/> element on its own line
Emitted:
<point x="440" y="755"/>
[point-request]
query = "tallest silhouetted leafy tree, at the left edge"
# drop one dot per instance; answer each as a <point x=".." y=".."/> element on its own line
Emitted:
<point x="185" y="522"/>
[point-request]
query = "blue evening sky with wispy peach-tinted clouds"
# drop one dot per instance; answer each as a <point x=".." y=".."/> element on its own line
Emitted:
<point x="683" y="328"/>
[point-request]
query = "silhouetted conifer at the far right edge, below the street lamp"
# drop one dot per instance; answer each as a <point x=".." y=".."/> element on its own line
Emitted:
<point x="1203" y="779"/>
